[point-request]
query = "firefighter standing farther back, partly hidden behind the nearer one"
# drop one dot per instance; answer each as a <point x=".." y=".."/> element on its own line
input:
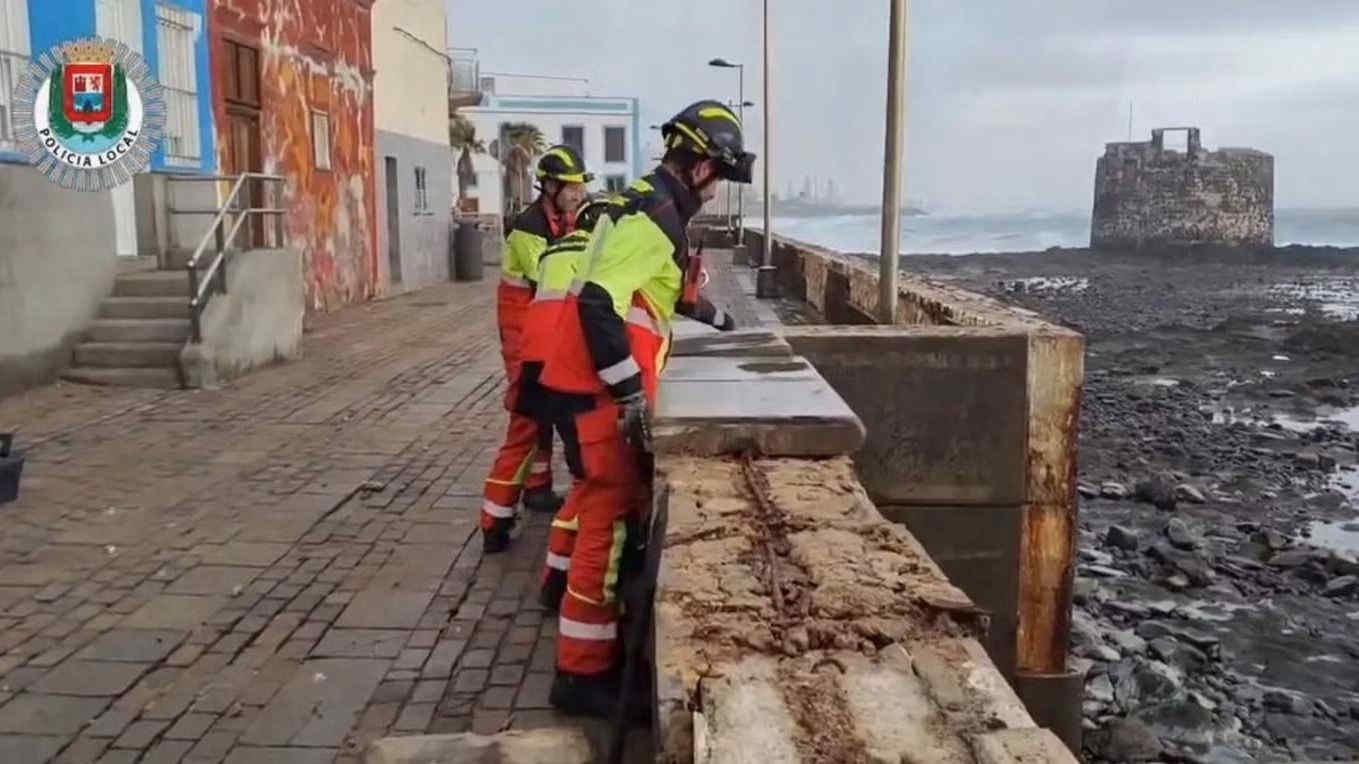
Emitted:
<point x="525" y="459"/>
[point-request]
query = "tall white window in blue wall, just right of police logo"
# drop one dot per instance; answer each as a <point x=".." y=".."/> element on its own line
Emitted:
<point x="179" y="75"/>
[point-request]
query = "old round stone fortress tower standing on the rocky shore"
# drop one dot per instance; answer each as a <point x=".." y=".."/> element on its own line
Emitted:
<point x="1148" y="195"/>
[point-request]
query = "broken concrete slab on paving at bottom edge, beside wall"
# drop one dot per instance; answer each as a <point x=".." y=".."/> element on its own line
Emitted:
<point x="547" y="746"/>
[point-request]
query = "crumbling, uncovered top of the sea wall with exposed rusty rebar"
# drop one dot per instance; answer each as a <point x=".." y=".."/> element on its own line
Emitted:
<point x="808" y="608"/>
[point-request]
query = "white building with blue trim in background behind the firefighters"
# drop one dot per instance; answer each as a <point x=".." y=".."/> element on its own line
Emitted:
<point x="605" y="131"/>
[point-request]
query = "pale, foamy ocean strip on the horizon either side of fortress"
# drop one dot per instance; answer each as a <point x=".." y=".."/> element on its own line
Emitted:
<point x="967" y="235"/>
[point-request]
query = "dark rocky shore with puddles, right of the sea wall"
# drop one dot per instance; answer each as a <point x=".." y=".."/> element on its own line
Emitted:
<point x="1218" y="584"/>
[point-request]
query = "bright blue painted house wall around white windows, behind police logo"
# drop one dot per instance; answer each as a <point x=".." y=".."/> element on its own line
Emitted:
<point x="54" y="22"/>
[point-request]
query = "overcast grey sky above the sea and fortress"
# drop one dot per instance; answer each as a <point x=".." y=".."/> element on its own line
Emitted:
<point x="1010" y="101"/>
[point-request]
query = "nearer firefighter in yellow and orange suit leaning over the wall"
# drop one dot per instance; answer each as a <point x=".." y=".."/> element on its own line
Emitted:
<point x="612" y="341"/>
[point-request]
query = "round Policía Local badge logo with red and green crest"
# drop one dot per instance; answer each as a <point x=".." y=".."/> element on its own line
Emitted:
<point x="89" y="114"/>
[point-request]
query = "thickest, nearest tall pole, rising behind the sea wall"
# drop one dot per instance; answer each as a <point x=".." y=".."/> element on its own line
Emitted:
<point x="892" y="165"/>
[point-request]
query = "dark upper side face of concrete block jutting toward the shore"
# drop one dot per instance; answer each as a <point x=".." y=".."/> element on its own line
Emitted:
<point x="945" y="409"/>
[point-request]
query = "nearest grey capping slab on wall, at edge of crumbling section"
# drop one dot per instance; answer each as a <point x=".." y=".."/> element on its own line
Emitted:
<point x="798" y="418"/>
